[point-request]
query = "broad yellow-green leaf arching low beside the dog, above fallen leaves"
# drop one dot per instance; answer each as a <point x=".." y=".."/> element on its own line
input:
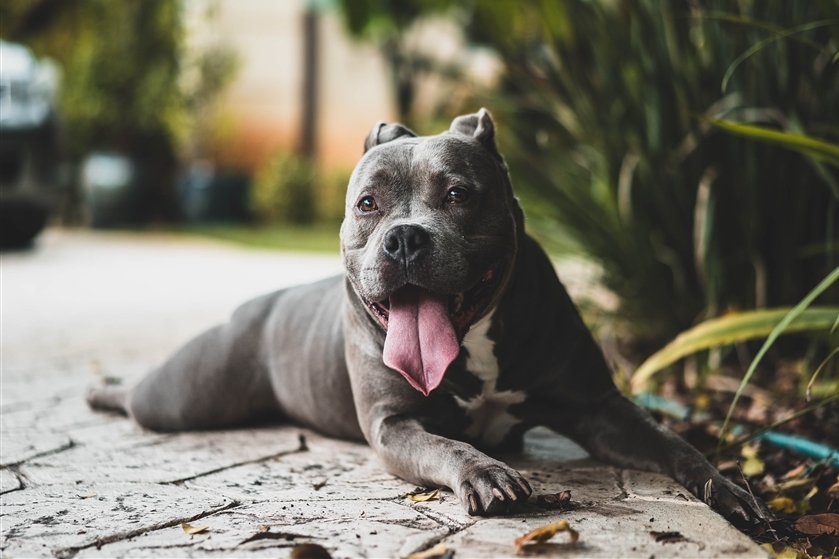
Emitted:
<point x="730" y="329"/>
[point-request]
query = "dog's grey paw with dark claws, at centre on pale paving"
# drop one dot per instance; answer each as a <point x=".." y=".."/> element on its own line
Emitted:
<point x="492" y="487"/>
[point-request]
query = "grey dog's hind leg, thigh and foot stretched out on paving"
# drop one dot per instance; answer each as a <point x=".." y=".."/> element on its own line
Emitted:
<point x="216" y="380"/>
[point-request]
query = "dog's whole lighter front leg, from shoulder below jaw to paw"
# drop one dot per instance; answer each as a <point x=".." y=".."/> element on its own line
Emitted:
<point x="395" y="420"/>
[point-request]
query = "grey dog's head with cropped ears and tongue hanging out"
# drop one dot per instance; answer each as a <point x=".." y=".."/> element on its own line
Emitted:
<point x="429" y="239"/>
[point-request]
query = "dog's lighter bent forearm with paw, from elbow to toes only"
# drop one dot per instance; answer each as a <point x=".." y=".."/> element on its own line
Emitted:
<point x="482" y="484"/>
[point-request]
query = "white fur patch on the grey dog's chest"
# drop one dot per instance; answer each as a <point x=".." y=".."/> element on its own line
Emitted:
<point x="488" y="410"/>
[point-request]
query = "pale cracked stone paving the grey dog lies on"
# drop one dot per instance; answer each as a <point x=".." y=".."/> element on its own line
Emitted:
<point x="75" y="483"/>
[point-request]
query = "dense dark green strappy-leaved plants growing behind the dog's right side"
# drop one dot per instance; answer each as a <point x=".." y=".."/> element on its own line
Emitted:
<point x="598" y="107"/>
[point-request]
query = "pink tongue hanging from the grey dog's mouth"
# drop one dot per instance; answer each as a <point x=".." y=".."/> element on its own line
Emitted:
<point x="421" y="342"/>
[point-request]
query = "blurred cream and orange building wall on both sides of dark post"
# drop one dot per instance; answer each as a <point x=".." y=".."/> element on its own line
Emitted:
<point x="262" y="108"/>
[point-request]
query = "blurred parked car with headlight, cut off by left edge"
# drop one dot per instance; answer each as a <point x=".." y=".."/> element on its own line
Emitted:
<point x="29" y="185"/>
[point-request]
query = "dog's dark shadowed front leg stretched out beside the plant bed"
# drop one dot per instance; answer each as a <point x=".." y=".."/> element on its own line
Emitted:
<point x="618" y="431"/>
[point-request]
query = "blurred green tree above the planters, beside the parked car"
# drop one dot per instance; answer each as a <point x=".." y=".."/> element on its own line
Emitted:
<point x="120" y="78"/>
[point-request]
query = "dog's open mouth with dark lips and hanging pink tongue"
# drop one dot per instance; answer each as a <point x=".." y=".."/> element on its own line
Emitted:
<point x="424" y="328"/>
